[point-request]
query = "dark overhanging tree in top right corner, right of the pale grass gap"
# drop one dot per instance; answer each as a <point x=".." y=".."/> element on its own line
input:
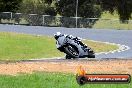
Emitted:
<point x="123" y="7"/>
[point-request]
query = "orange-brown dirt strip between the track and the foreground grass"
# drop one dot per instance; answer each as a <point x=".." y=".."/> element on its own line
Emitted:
<point x="102" y="66"/>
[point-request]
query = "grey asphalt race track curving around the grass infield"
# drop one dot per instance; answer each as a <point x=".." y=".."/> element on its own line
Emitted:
<point x="123" y="37"/>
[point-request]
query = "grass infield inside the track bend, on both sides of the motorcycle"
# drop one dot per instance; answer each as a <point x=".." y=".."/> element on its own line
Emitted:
<point x="14" y="46"/>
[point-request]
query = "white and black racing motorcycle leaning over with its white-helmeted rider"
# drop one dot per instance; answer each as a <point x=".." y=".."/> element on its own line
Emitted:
<point x="72" y="46"/>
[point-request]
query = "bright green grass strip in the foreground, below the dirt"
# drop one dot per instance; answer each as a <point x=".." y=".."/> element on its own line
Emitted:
<point x="50" y="80"/>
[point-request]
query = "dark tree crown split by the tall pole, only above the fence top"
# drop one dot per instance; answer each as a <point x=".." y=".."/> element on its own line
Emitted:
<point x="86" y="8"/>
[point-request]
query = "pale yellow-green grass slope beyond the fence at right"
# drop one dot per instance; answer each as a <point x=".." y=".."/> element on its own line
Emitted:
<point x="111" y="21"/>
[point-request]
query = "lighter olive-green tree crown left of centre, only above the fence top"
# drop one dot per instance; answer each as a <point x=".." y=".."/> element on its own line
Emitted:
<point x="37" y="7"/>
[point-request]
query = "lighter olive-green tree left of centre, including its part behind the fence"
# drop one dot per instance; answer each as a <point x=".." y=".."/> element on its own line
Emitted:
<point x="34" y="9"/>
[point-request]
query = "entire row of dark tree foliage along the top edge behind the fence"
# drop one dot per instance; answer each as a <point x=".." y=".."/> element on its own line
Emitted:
<point x="67" y="8"/>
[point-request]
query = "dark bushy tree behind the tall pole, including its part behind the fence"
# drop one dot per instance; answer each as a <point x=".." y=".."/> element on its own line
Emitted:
<point x="86" y="9"/>
